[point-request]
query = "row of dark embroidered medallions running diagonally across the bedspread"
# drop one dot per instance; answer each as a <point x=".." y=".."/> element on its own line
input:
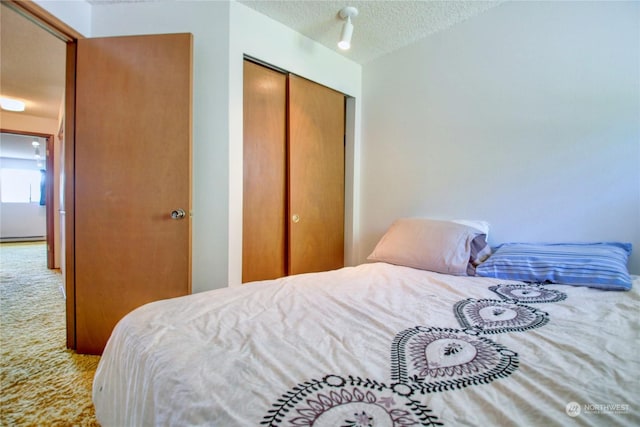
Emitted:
<point x="423" y="360"/>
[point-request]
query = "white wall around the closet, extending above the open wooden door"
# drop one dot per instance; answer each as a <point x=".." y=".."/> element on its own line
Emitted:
<point x="223" y="32"/>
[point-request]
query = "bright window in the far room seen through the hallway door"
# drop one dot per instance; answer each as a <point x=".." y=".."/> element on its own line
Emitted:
<point x="22" y="185"/>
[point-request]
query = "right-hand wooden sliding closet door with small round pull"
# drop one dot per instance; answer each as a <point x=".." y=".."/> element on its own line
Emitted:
<point x="316" y="177"/>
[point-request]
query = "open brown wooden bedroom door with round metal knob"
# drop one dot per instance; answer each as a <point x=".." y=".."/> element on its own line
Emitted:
<point x="132" y="168"/>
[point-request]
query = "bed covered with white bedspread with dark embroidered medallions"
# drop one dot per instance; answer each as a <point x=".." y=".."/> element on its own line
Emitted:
<point x="379" y="344"/>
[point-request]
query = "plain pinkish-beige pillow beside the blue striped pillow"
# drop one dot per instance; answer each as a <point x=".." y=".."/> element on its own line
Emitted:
<point x="434" y="245"/>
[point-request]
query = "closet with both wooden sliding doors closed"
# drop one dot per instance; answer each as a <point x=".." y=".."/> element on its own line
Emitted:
<point x="293" y="172"/>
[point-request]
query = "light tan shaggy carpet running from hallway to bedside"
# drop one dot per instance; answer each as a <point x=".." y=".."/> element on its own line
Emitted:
<point x="42" y="383"/>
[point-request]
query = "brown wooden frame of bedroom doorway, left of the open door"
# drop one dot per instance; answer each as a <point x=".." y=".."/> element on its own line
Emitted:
<point x="70" y="36"/>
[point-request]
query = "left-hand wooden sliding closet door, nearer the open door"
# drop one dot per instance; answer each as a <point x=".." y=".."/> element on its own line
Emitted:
<point x="264" y="185"/>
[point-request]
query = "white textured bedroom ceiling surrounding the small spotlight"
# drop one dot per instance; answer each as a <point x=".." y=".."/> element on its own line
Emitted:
<point x="379" y="28"/>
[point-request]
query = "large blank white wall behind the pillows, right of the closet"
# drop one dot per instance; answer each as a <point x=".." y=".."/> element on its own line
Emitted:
<point x="526" y="116"/>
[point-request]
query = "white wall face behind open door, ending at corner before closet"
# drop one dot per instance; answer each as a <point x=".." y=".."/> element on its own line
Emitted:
<point x="208" y="21"/>
